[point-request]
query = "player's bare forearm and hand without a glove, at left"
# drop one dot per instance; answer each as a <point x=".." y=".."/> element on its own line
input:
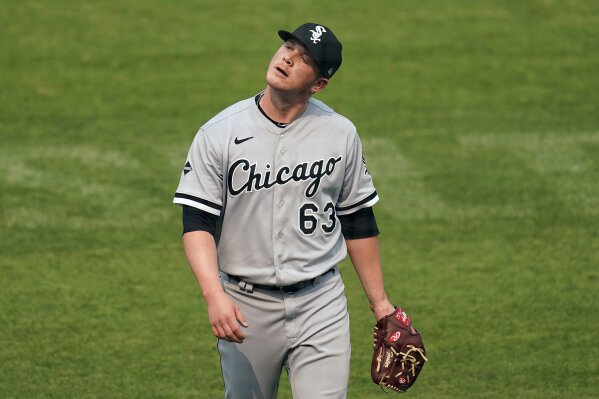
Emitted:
<point x="223" y="314"/>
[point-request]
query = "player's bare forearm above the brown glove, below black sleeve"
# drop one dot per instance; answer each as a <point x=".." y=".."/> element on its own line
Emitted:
<point x="364" y="254"/>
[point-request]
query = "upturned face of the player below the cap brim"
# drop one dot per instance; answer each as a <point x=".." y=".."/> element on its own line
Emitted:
<point x="293" y="69"/>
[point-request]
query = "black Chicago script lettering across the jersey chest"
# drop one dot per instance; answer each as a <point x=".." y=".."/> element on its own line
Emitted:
<point x="244" y="177"/>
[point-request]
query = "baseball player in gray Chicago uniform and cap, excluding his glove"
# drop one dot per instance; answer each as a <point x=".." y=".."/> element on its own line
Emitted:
<point x="275" y="193"/>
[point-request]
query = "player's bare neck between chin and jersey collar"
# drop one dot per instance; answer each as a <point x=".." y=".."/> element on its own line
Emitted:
<point x="283" y="106"/>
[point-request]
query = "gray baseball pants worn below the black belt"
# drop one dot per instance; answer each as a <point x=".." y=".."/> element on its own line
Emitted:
<point x="306" y="332"/>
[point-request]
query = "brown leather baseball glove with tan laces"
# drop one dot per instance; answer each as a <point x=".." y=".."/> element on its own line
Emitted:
<point x="399" y="353"/>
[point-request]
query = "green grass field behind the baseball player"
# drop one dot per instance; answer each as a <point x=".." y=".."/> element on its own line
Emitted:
<point x="480" y="124"/>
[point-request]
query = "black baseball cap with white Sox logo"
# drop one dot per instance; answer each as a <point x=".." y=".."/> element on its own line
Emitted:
<point x="322" y="44"/>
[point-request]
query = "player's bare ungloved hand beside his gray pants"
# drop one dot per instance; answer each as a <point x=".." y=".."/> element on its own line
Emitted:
<point x="225" y="319"/>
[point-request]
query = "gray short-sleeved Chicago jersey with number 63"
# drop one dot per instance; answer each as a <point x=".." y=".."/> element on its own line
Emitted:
<point x="277" y="190"/>
